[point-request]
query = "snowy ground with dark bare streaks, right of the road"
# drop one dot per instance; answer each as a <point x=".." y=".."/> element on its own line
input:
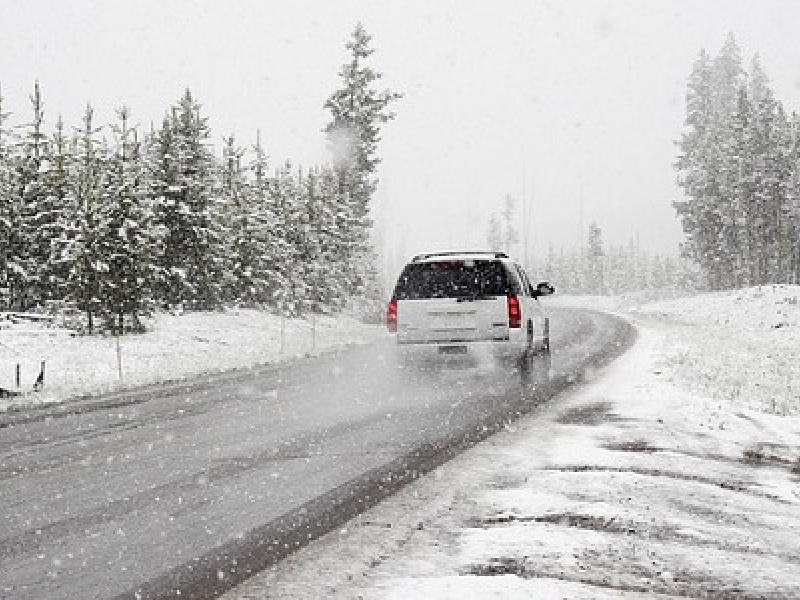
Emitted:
<point x="676" y="472"/>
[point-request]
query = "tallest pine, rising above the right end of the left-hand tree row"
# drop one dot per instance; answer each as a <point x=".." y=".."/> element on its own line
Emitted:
<point x="358" y="110"/>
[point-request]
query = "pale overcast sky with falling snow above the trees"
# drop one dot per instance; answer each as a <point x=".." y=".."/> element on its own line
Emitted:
<point x="564" y="104"/>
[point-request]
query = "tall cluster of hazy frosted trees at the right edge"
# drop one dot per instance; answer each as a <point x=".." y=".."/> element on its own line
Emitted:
<point x="739" y="166"/>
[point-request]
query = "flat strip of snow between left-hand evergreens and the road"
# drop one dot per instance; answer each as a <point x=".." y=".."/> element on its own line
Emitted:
<point x="175" y="347"/>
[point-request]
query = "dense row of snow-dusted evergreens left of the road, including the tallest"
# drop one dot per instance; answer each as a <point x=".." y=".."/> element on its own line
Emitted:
<point x="114" y="222"/>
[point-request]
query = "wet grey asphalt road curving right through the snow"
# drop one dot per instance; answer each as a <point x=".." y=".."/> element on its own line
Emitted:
<point x="192" y="486"/>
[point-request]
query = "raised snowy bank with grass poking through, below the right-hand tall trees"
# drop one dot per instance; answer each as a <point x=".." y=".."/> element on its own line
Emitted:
<point x="741" y="347"/>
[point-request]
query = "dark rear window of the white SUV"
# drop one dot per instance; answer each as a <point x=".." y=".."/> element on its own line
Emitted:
<point x="452" y="279"/>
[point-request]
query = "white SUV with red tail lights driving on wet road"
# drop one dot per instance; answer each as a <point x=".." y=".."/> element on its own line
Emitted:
<point x="460" y="300"/>
